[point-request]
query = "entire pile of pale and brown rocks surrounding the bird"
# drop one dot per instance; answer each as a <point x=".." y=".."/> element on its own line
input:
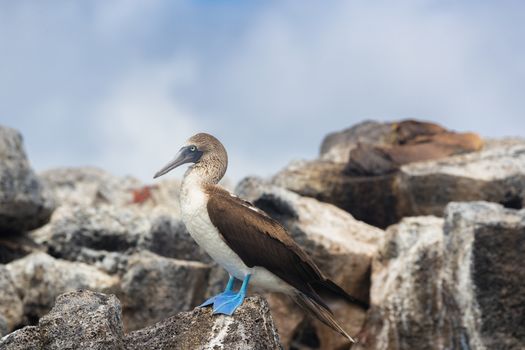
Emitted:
<point x="437" y="252"/>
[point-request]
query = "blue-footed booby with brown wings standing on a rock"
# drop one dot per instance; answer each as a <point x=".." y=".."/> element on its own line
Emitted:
<point x="250" y="245"/>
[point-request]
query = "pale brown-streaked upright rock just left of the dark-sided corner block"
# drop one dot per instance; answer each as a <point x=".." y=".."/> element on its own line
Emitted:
<point x="407" y="306"/>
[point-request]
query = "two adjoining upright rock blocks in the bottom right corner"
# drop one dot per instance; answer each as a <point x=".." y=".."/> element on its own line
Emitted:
<point x="457" y="285"/>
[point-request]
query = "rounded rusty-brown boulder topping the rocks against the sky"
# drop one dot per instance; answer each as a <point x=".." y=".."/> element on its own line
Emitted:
<point x="373" y="148"/>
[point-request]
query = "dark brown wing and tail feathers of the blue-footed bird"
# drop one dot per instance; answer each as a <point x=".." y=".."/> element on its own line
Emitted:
<point x="247" y="229"/>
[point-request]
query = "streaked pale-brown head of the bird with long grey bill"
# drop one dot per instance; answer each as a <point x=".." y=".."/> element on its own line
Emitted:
<point x="205" y="152"/>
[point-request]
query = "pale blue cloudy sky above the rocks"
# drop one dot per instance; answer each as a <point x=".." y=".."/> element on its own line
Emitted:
<point x="122" y="84"/>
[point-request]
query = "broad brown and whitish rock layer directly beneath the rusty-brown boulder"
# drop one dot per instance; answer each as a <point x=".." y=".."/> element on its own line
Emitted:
<point x="496" y="174"/>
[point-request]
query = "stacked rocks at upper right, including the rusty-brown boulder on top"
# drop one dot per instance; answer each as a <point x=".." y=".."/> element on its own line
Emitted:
<point x="395" y="183"/>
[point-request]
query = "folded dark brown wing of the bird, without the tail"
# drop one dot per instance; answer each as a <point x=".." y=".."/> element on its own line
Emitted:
<point x="261" y="241"/>
